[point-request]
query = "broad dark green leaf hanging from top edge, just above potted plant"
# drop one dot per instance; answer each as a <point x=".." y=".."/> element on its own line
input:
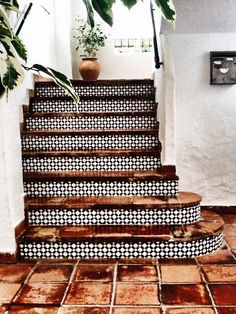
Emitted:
<point x="103" y="8"/>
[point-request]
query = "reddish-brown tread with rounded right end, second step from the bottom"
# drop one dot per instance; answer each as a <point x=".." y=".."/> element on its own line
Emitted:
<point x="183" y="199"/>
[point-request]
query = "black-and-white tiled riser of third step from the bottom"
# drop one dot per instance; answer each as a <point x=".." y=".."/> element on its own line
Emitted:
<point x="100" y="188"/>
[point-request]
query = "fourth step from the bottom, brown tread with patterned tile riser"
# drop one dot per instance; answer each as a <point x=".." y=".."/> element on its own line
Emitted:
<point x="91" y="161"/>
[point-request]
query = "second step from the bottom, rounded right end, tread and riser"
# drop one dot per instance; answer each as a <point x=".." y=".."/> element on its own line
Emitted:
<point x="181" y="209"/>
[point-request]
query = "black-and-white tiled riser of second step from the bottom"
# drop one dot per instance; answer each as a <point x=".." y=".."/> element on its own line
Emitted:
<point x="106" y="216"/>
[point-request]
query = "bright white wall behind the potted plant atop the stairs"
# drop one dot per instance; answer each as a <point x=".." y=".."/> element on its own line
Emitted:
<point x="134" y="22"/>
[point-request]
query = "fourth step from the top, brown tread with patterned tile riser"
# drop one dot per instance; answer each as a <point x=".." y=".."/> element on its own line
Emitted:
<point x="88" y="140"/>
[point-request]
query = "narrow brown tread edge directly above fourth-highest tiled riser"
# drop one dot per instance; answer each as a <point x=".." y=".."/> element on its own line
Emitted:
<point x="69" y="132"/>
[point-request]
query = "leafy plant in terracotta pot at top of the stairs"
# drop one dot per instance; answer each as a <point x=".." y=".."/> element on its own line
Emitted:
<point x="90" y="40"/>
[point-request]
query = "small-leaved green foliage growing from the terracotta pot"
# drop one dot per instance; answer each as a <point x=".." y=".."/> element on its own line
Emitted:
<point x="90" y="39"/>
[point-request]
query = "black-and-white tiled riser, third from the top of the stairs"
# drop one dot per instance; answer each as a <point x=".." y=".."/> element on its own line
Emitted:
<point x="91" y="122"/>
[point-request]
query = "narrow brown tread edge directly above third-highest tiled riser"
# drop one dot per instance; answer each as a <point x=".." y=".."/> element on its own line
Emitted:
<point x="151" y="113"/>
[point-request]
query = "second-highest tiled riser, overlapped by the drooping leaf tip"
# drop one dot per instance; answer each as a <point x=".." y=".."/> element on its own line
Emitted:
<point x="93" y="105"/>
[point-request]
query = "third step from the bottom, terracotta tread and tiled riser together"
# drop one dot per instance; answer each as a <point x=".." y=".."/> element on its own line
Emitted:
<point x="130" y="183"/>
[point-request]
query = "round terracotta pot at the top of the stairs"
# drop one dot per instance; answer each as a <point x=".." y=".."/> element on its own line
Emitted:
<point x="89" y="69"/>
